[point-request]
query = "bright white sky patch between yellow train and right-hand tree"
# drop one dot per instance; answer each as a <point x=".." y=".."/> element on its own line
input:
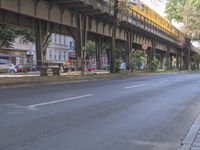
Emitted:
<point x="157" y="5"/>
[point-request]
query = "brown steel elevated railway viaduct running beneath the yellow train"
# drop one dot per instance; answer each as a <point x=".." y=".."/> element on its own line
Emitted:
<point x="91" y="20"/>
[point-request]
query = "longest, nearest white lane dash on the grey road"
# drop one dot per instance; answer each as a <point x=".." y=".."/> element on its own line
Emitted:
<point x="58" y="101"/>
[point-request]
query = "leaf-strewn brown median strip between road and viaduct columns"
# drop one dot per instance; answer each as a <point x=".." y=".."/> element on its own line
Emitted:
<point x="31" y="80"/>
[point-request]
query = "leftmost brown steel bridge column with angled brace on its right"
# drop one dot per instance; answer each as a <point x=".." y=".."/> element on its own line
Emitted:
<point x="42" y="35"/>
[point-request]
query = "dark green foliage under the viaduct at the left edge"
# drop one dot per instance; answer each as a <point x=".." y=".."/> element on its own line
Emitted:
<point x="9" y="33"/>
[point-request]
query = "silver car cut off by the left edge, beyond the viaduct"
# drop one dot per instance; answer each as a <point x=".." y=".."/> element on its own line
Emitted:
<point x="7" y="67"/>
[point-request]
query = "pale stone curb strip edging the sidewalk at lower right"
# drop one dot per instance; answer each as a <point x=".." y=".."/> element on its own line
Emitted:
<point x="187" y="143"/>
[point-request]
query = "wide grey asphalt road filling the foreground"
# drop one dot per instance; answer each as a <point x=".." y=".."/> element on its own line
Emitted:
<point x="146" y="113"/>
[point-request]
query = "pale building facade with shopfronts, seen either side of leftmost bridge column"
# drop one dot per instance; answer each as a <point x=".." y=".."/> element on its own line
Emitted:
<point x="60" y="48"/>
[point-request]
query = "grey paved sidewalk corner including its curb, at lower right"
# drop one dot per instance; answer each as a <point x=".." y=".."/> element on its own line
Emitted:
<point x="192" y="139"/>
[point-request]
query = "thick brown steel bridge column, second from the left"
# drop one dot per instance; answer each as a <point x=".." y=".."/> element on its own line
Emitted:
<point x="80" y="37"/>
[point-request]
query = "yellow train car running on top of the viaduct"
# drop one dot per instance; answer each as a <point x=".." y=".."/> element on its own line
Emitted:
<point x="143" y="12"/>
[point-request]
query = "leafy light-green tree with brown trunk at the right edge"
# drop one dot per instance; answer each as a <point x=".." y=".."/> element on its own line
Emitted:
<point x="186" y="12"/>
